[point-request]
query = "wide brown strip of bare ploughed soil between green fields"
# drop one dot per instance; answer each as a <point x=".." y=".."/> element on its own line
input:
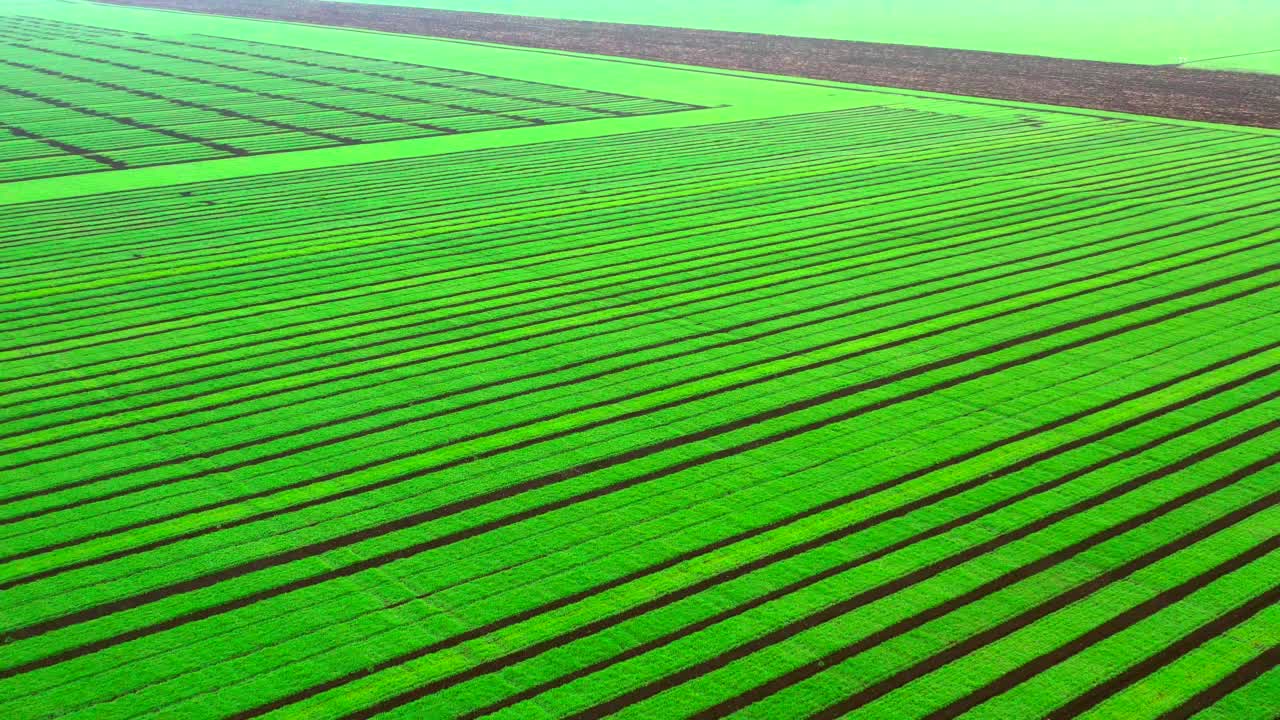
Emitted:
<point x="1219" y="97"/>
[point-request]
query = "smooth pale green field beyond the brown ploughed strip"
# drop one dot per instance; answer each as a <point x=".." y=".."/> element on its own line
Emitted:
<point x="1153" y="33"/>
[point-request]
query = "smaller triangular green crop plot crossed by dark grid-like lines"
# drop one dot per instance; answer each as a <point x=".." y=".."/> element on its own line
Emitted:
<point x="79" y="99"/>
